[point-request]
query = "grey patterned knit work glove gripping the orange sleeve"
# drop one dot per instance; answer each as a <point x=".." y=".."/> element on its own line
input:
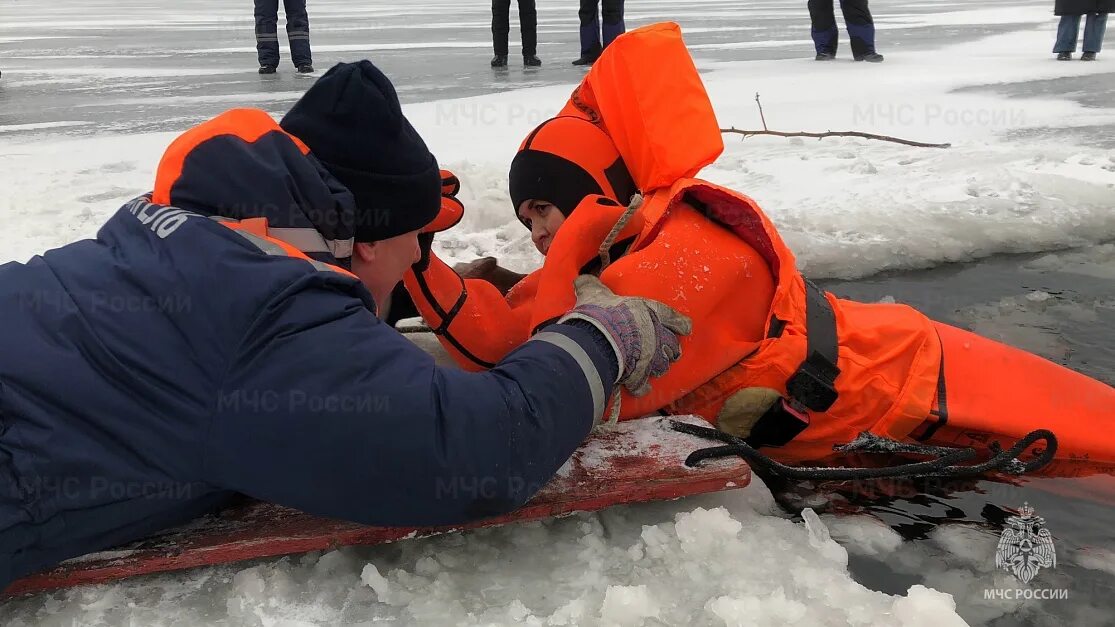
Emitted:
<point x="643" y="332"/>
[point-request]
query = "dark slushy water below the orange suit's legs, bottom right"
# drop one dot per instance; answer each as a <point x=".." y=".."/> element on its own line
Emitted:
<point x="952" y="530"/>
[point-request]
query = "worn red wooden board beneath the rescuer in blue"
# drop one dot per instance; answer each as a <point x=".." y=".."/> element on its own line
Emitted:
<point x="636" y="461"/>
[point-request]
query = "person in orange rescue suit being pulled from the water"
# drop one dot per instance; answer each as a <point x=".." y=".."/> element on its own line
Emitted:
<point x="773" y="359"/>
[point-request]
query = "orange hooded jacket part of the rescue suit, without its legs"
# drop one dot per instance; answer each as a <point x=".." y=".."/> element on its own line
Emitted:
<point x="709" y="252"/>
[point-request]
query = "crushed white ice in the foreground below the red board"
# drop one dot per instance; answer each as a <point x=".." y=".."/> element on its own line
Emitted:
<point x="674" y="564"/>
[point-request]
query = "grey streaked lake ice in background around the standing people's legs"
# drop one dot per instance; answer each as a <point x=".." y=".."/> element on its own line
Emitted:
<point x="129" y="66"/>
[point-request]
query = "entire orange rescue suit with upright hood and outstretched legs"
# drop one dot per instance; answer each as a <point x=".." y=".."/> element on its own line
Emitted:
<point x="712" y="254"/>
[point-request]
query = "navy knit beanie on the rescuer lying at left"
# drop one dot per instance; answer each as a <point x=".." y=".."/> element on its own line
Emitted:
<point x="352" y="122"/>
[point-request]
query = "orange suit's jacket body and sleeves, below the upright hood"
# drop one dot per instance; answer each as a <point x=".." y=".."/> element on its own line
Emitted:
<point x="714" y="256"/>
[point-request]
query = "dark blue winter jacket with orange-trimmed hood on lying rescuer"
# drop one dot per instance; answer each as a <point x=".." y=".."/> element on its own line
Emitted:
<point x="149" y="375"/>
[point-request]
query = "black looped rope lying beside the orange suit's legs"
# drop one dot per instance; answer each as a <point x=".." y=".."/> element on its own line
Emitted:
<point x="946" y="462"/>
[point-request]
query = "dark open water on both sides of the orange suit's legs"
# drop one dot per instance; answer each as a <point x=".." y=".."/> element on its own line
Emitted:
<point x="1059" y="305"/>
